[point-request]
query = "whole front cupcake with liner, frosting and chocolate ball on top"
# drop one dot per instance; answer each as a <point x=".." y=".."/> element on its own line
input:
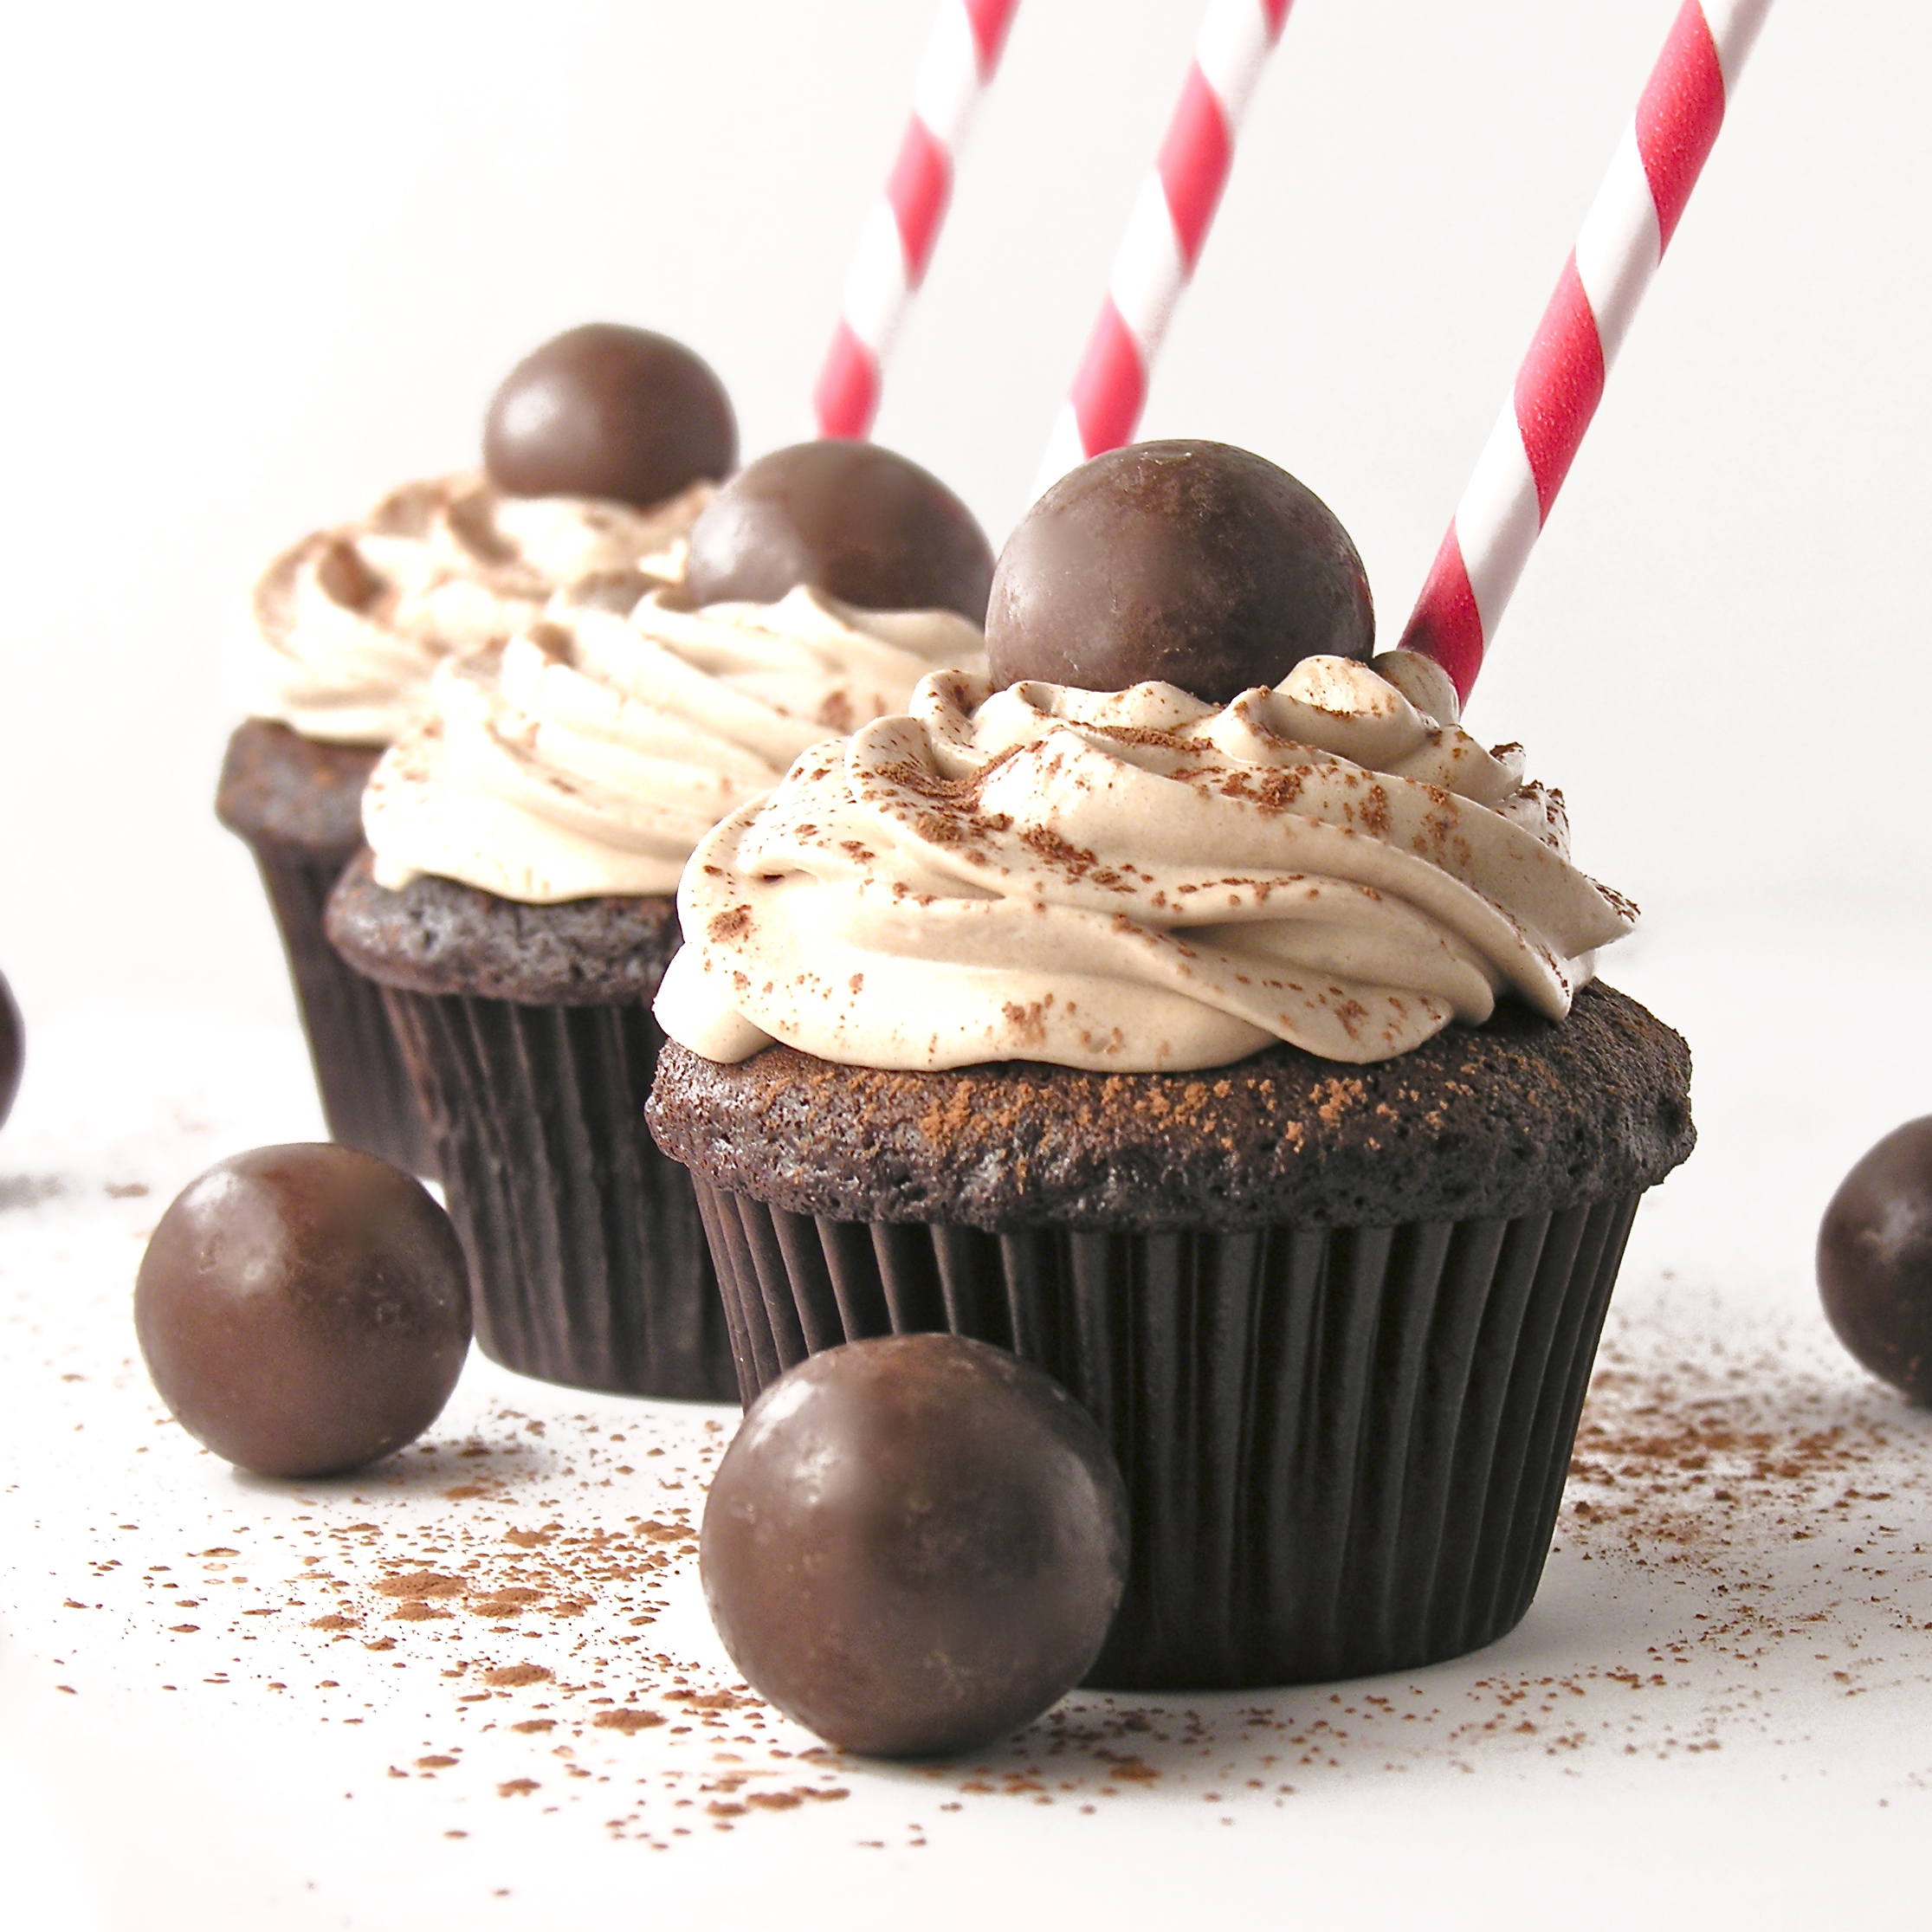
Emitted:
<point x="1208" y="1019"/>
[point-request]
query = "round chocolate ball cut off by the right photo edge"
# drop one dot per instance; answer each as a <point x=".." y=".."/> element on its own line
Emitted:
<point x="1875" y="1261"/>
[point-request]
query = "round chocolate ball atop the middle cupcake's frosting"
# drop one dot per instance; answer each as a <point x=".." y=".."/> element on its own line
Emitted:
<point x="849" y="519"/>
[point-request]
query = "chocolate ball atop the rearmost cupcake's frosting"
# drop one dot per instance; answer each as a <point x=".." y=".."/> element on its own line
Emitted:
<point x="608" y="411"/>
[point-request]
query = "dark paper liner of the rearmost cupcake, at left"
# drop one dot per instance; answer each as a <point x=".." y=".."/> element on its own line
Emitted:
<point x="366" y="1091"/>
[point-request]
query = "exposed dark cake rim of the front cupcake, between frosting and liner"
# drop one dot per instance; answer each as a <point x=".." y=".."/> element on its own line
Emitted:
<point x="1510" y="1120"/>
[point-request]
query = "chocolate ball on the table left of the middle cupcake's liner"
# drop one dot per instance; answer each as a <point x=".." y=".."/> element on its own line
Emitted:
<point x="304" y="1309"/>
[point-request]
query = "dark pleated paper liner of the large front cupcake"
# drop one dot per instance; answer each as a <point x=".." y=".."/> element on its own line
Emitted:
<point x="1344" y="1448"/>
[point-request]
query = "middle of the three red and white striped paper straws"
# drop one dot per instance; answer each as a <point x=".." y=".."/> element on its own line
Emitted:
<point x="1166" y="233"/>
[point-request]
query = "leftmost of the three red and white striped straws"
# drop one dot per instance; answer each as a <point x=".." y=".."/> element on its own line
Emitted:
<point x="899" y="237"/>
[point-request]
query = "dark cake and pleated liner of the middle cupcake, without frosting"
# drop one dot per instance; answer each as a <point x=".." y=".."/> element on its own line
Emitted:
<point x="530" y="1035"/>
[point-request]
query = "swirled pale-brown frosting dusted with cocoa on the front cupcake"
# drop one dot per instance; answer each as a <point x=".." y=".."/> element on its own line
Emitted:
<point x="1133" y="882"/>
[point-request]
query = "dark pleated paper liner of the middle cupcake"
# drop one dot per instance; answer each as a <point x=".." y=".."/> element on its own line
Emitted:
<point x="588" y="1261"/>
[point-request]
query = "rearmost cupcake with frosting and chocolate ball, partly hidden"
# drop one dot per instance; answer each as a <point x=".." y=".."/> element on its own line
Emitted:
<point x="351" y="625"/>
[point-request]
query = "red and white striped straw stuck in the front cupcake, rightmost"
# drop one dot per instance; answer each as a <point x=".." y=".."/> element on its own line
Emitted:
<point x="1562" y="380"/>
